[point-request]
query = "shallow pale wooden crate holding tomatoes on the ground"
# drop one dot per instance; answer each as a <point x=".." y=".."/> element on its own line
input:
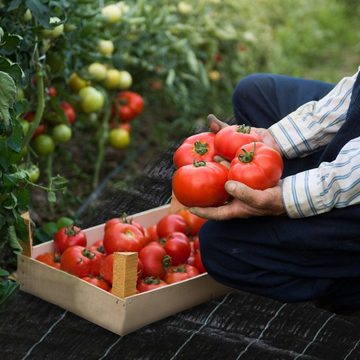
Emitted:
<point x="122" y="311"/>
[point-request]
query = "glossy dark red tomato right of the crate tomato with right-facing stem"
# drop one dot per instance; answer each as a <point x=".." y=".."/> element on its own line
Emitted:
<point x="177" y="246"/>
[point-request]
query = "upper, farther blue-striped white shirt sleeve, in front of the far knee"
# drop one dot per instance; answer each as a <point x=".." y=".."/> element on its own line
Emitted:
<point x="315" y="123"/>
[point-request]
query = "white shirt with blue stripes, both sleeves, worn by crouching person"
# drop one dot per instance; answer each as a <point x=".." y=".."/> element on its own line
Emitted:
<point x="333" y="184"/>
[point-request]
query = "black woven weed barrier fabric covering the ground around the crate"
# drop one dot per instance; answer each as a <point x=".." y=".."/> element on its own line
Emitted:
<point x="237" y="326"/>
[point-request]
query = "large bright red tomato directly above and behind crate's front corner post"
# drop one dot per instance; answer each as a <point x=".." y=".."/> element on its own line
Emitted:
<point x="123" y="237"/>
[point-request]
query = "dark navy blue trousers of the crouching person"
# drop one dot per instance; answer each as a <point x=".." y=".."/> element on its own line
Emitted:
<point x="288" y="259"/>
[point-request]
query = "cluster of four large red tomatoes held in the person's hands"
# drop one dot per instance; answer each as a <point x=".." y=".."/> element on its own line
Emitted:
<point x="199" y="180"/>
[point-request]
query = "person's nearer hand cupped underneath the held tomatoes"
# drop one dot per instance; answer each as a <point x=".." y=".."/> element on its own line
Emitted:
<point x="246" y="203"/>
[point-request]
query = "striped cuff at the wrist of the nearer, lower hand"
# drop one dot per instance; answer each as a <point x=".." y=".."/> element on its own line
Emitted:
<point x="301" y="194"/>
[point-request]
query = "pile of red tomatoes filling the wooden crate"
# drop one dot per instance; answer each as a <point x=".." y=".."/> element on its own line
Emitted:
<point x="168" y="251"/>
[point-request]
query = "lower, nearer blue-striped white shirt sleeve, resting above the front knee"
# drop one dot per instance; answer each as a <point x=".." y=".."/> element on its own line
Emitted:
<point x="333" y="184"/>
